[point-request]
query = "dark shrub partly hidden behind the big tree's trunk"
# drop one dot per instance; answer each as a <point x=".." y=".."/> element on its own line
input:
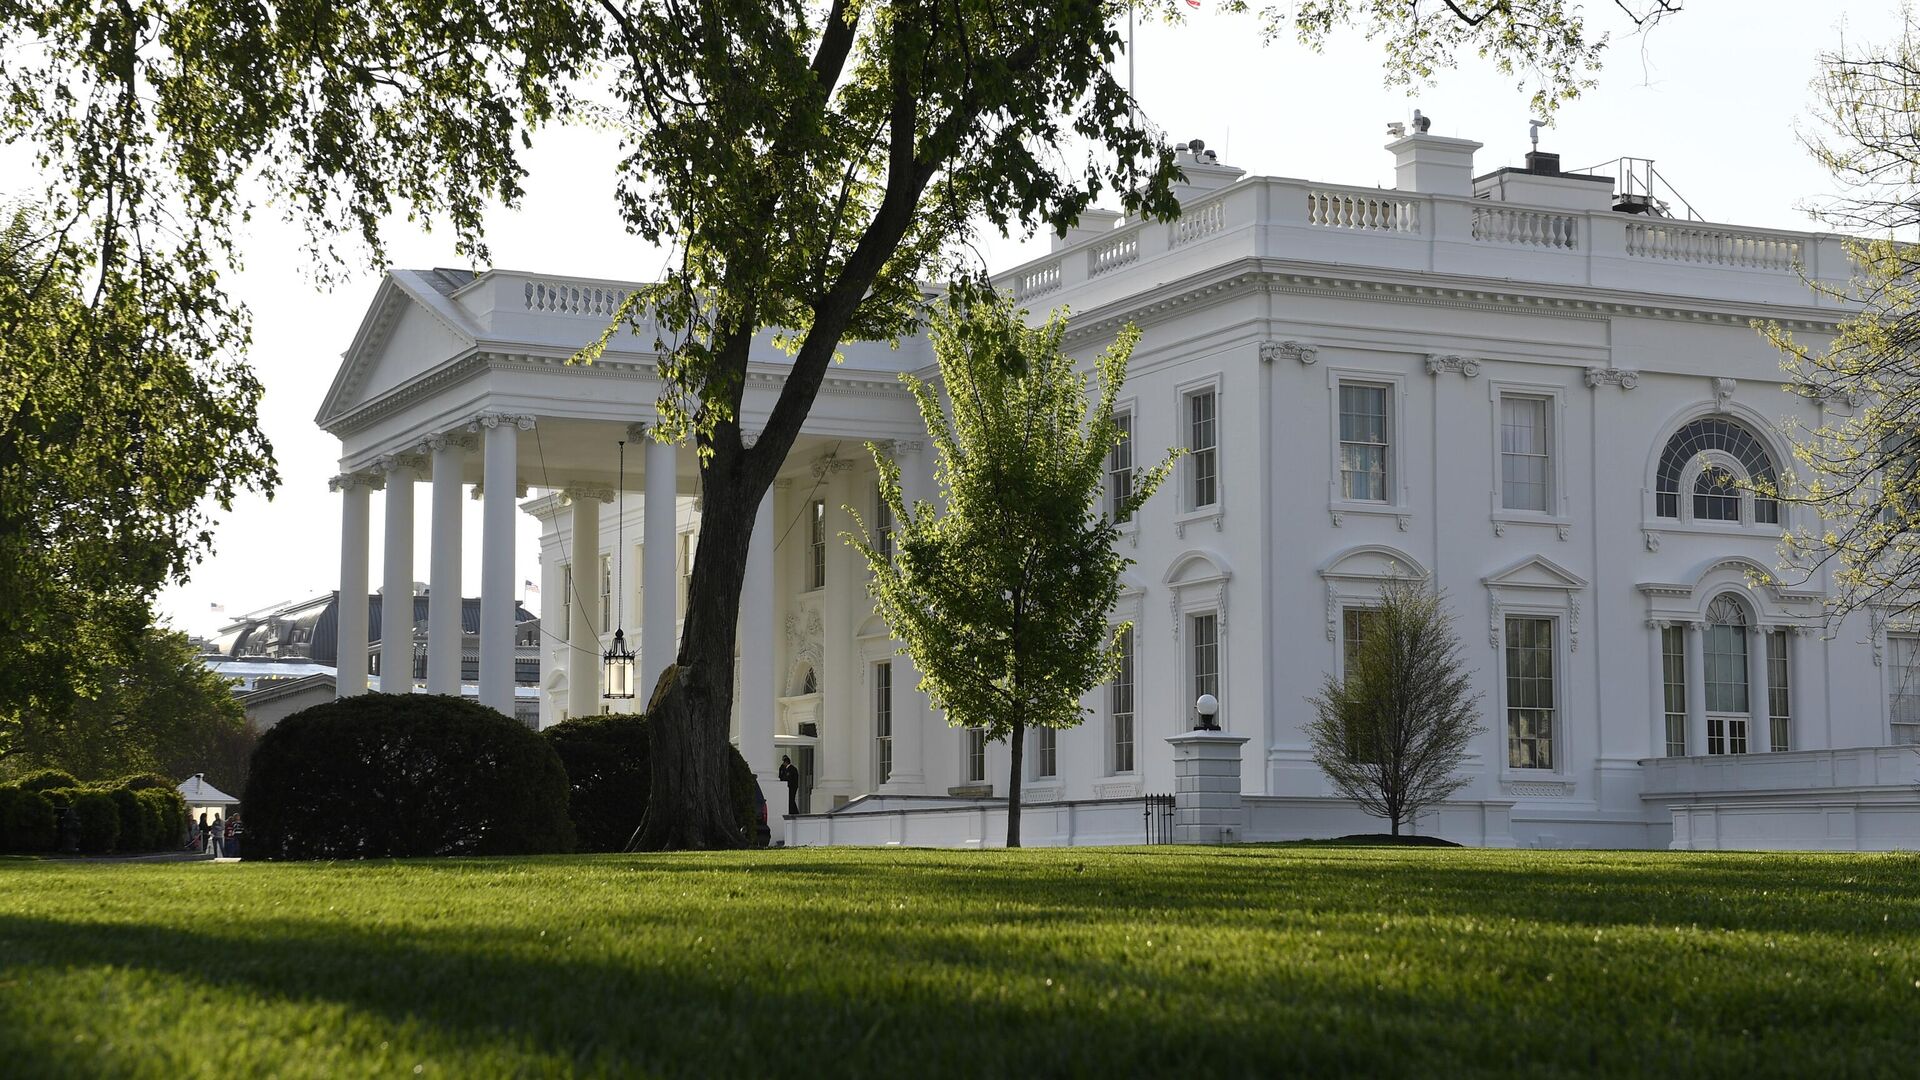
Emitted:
<point x="612" y="772"/>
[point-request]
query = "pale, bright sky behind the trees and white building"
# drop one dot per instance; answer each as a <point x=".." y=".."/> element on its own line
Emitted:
<point x="1716" y="95"/>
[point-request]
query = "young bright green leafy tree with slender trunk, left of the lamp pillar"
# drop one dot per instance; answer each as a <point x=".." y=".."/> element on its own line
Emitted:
<point x="1003" y="597"/>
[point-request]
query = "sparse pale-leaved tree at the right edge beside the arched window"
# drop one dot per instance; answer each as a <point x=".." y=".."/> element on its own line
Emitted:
<point x="1861" y="466"/>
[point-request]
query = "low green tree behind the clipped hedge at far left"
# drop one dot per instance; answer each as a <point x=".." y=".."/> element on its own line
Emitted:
<point x="156" y="710"/>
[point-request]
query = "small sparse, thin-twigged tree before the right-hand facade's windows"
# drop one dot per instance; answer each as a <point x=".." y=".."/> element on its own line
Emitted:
<point x="1393" y="729"/>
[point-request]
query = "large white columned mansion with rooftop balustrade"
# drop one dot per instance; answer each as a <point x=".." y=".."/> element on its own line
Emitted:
<point x="1497" y="381"/>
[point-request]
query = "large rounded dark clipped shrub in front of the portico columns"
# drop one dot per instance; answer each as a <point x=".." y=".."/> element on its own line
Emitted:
<point x="396" y="775"/>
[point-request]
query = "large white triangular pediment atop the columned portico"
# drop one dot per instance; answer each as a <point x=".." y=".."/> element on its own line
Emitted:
<point x="408" y="331"/>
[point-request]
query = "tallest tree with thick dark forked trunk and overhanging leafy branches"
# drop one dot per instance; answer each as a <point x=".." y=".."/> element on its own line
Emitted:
<point x="809" y="160"/>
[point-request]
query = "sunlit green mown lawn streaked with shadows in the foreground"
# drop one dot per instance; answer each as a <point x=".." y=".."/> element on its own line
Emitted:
<point x="1239" y="962"/>
